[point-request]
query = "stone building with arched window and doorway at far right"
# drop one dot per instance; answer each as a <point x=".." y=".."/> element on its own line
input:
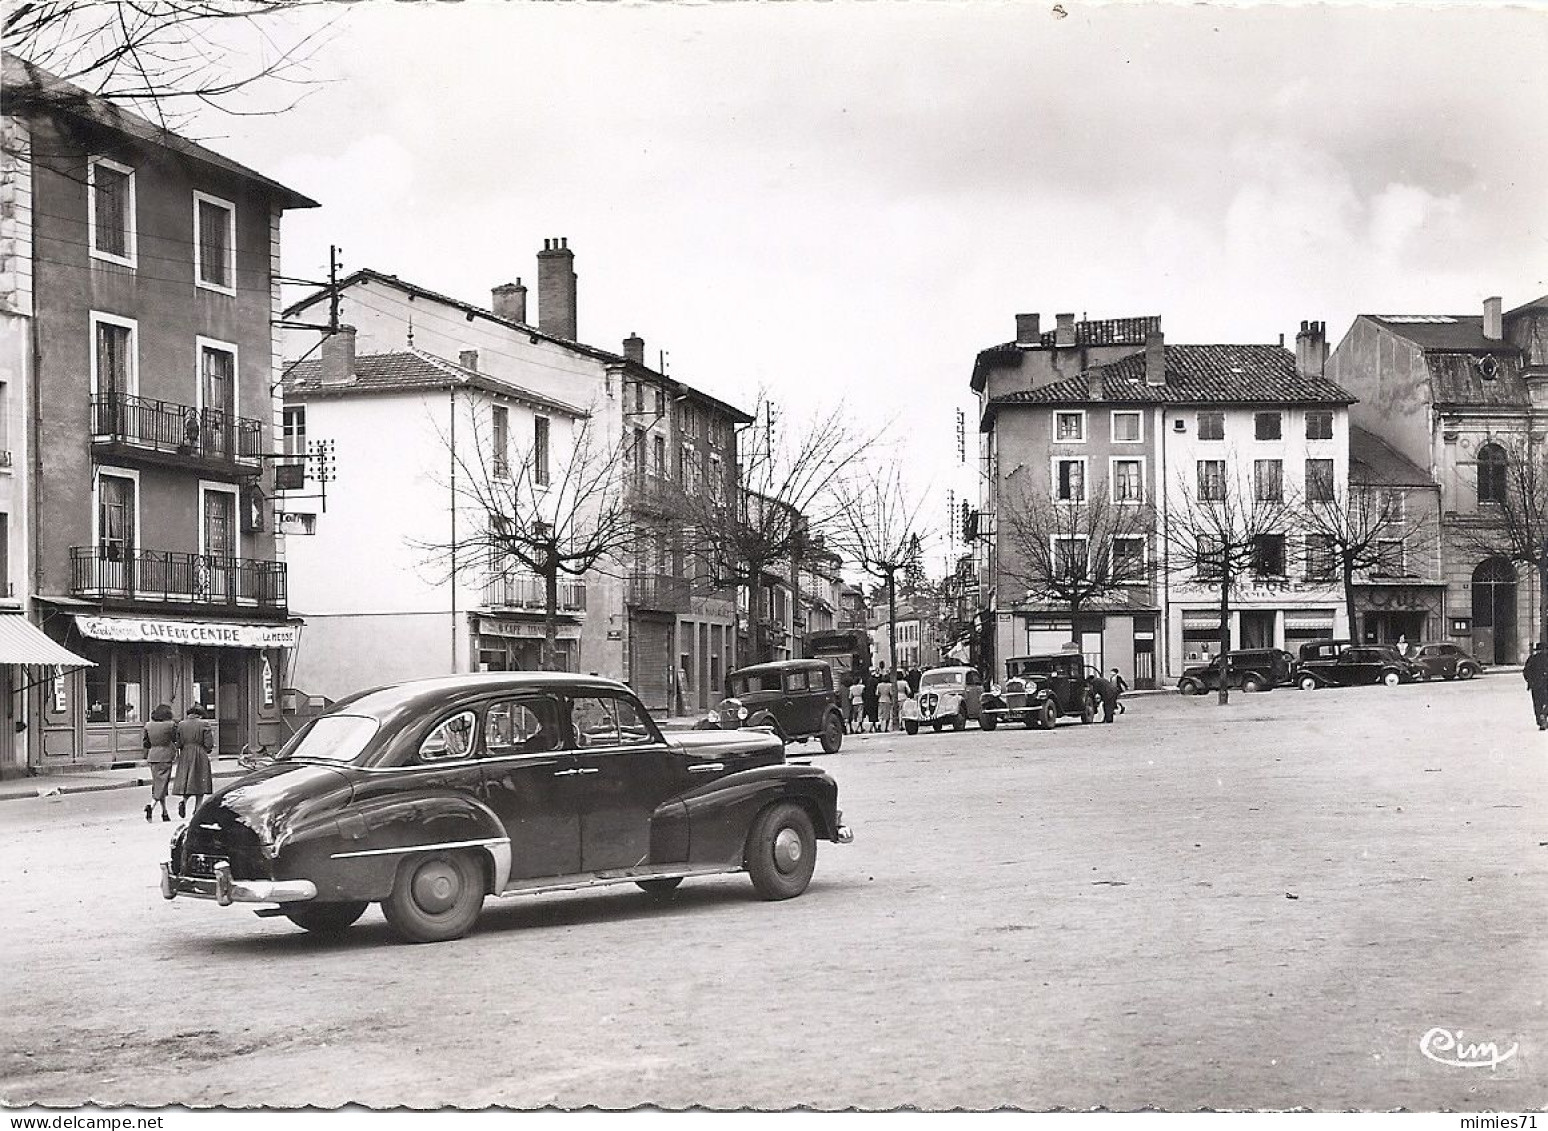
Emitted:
<point x="1461" y="397"/>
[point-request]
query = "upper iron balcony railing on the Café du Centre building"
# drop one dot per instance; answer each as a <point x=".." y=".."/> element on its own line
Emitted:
<point x="177" y="431"/>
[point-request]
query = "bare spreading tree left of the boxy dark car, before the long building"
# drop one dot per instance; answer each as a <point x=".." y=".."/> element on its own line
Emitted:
<point x="773" y="516"/>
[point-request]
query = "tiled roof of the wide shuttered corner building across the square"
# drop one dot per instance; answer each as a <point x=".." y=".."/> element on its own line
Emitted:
<point x="1194" y="375"/>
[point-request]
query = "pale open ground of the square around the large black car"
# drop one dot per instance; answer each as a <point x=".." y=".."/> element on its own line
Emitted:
<point x="1265" y="906"/>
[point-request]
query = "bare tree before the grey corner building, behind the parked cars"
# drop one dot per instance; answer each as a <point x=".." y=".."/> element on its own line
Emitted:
<point x="1077" y="553"/>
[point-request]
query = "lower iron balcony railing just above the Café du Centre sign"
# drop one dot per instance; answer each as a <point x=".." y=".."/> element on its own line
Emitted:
<point x="168" y="578"/>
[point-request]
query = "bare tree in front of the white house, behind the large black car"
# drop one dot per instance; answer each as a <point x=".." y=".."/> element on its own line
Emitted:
<point x="541" y="513"/>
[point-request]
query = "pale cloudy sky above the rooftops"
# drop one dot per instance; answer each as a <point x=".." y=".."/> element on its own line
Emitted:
<point x="849" y="200"/>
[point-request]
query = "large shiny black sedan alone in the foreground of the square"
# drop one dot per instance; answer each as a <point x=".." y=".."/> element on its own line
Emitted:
<point x="434" y="794"/>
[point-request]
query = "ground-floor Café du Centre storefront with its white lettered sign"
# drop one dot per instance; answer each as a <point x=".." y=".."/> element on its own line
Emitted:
<point x="233" y="671"/>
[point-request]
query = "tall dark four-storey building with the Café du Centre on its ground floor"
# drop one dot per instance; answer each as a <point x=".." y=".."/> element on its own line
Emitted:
<point x="151" y="550"/>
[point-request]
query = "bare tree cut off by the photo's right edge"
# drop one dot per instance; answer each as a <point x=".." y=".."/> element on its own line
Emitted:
<point x="1513" y="514"/>
